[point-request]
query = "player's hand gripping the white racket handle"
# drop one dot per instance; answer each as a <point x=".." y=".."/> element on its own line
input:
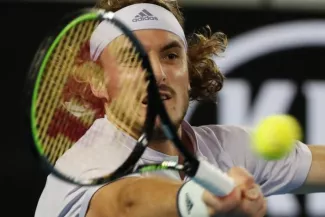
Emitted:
<point x="245" y="200"/>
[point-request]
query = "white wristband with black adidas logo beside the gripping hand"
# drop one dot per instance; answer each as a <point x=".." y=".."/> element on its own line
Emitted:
<point x="189" y="201"/>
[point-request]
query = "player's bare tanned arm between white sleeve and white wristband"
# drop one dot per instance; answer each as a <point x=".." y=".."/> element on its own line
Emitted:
<point x="136" y="197"/>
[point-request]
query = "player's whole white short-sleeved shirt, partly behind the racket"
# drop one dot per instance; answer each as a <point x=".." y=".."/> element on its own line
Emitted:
<point x="223" y="146"/>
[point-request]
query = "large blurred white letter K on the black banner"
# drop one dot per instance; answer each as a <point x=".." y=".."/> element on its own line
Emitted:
<point x="274" y="97"/>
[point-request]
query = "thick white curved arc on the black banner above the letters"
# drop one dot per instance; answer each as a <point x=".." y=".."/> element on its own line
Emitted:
<point x="271" y="38"/>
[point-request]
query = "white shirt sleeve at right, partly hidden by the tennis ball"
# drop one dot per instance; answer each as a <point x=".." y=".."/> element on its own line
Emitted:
<point x="276" y="176"/>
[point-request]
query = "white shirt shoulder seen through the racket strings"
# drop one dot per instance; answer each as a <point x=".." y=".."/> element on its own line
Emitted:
<point x="79" y="160"/>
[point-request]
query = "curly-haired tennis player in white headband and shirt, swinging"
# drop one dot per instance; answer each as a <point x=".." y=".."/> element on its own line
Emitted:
<point x="184" y="72"/>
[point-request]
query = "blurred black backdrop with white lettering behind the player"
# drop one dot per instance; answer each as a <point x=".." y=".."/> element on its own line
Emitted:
<point x="275" y="63"/>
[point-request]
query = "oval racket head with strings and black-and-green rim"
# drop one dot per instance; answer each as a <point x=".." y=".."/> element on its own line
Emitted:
<point x="58" y="115"/>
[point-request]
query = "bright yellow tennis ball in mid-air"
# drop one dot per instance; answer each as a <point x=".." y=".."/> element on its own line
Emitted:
<point x="275" y="136"/>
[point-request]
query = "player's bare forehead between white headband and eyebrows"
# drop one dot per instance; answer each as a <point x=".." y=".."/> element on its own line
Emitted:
<point x="156" y="39"/>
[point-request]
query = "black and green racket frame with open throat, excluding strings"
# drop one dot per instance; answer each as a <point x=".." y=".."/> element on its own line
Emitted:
<point x="155" y="106"/>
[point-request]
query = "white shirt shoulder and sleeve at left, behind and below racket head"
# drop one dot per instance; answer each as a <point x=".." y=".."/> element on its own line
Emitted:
<point x="91" y="156"/>
